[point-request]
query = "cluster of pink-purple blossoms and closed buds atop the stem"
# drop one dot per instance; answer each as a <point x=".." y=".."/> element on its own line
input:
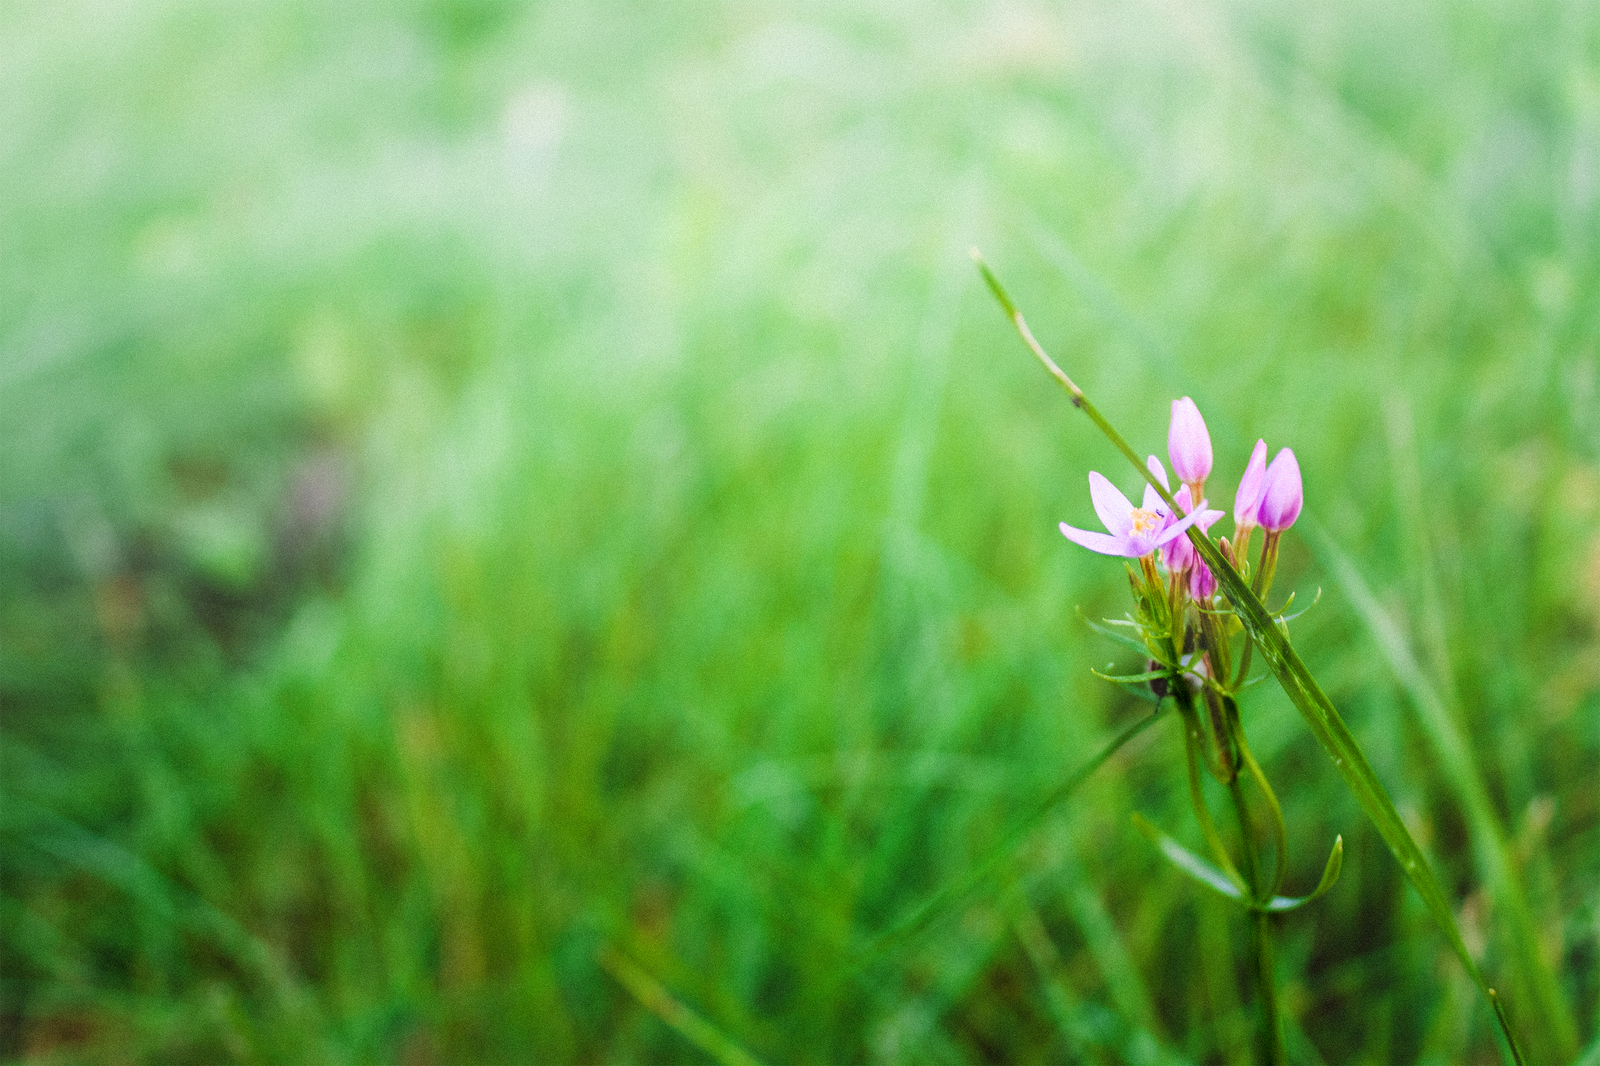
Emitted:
<point x="1270" y="497"/>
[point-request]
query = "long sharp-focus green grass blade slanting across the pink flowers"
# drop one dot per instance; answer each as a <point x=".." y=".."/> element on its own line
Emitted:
<point x="1298" y="684"/>
